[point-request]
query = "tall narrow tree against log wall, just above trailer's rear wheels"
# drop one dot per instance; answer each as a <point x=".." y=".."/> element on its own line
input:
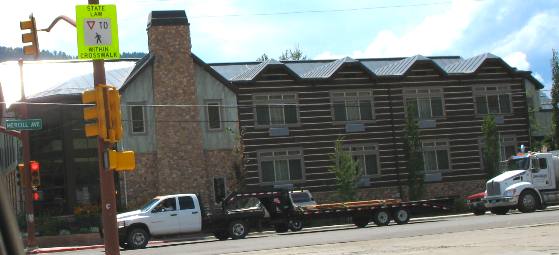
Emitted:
<point x="412" y="155"/>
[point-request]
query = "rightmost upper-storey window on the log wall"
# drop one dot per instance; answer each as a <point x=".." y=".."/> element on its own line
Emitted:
<point x="493" y="100"/>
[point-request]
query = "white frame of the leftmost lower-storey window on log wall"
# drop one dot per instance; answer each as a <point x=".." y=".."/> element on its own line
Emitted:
<point x="277" y="155"/>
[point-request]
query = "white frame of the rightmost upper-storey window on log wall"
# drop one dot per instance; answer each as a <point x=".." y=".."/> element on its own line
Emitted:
<point x="492" y="90"/>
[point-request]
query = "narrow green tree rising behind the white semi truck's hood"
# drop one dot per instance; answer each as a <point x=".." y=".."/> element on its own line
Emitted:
<point x="490" y="146"/>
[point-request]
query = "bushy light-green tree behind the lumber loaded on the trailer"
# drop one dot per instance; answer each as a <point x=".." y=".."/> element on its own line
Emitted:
<point x="347" y="172"/>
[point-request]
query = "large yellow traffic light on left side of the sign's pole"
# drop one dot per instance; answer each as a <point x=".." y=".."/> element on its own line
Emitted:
<point x="96" y="112"/>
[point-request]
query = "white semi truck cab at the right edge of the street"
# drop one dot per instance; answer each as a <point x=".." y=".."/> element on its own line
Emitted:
<point x="529" y="183"/>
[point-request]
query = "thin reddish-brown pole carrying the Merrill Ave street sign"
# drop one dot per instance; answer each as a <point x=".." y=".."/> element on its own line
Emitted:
<point x="29" y="215"/>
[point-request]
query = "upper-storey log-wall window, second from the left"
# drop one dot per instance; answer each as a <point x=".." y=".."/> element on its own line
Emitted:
<point x="352" y="105"/>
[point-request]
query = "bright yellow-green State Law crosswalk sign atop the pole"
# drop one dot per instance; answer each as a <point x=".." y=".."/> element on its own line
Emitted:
<point x="97" y="31"/>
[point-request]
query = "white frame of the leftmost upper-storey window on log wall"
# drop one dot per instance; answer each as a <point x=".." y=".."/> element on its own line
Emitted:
<point x="273" y="100"/>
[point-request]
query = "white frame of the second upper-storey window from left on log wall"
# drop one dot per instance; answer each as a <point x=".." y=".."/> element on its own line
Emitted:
<point x="352" y="96"/>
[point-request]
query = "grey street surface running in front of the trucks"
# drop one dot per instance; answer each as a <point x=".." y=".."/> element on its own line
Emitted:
<point x="433" y="230"/>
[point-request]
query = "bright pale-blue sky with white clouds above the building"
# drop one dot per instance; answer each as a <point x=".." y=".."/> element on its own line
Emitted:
<point x="521" y="32"/>
